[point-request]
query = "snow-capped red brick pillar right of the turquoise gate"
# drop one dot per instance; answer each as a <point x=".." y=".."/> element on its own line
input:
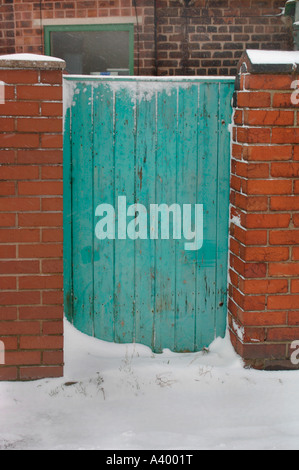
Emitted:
<point x="264" y="243"/>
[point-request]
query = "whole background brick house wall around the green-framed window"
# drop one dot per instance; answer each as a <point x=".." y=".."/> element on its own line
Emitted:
<point x="206" y="38"/>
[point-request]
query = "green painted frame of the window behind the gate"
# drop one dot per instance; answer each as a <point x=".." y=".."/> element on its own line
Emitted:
<point x="97" y="27"/>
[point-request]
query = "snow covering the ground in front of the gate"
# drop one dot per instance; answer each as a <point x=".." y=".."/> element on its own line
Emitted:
<point x="125" y="397"/>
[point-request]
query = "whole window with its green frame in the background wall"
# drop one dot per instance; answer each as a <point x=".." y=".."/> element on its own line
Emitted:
<point x="93" y="49"/>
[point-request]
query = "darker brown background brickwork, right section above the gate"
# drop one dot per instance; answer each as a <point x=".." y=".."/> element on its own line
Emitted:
<point x="209" y="37"/>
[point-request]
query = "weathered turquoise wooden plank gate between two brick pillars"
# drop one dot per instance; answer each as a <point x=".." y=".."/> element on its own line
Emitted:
<point x="151" y="141"/>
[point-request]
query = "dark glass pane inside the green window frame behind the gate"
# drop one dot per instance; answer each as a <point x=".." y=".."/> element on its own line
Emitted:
<point x="91" y="52"/>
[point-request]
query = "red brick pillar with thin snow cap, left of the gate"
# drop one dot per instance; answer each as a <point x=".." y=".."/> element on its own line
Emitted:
<point x="31" y="227"/>
